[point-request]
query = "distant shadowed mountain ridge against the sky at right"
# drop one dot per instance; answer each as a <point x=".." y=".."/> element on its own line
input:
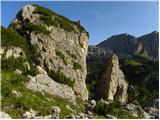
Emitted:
<point x="125" y="44"/>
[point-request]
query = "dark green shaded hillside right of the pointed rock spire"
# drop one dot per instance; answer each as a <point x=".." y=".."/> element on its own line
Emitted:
<point x="142" y="75"/>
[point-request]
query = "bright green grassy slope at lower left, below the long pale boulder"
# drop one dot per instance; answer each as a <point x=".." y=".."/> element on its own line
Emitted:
<point x="16" y="106"/>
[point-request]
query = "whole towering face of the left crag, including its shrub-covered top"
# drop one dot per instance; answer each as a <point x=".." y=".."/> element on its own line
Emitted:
<point x="58" y="47"/>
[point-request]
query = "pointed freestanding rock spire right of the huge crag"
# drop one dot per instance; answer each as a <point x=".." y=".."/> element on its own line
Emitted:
<point x="112" y="85"/>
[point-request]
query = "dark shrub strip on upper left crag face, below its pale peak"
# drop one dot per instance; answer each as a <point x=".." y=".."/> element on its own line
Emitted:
<point x="37" y="27"/>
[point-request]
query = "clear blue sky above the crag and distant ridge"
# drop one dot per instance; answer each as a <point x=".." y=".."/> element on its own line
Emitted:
<point x="101" y="19"/>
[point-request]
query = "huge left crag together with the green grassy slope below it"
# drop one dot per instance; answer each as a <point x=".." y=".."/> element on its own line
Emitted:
<point x="43" y="58"/>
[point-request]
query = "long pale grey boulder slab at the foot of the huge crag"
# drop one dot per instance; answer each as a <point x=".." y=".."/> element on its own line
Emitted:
<point x="44" y="83"/>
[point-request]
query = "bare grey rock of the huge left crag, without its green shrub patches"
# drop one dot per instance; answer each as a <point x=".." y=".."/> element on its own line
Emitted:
<point x="69" y="44"/>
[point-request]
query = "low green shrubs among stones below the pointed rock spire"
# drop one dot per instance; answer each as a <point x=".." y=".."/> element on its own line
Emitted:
<point x="114" y="108"/>
